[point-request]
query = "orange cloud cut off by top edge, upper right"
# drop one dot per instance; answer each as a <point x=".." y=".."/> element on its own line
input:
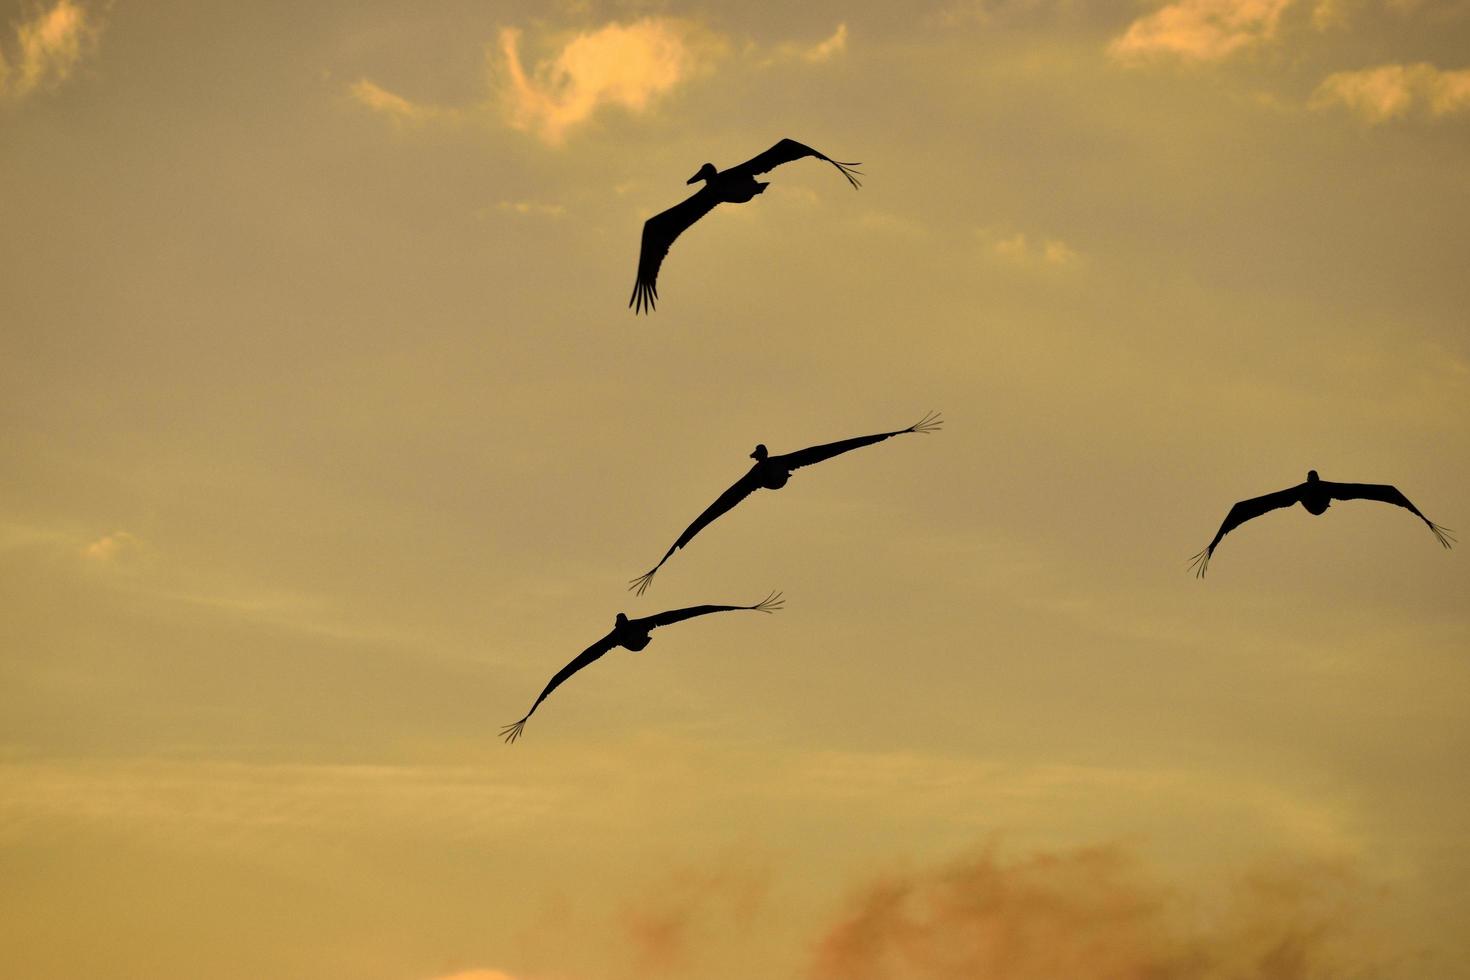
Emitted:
<point x="1199" y="30"/>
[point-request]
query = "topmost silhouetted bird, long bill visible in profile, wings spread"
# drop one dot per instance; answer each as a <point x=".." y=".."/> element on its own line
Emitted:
<point x="736" y="186"/>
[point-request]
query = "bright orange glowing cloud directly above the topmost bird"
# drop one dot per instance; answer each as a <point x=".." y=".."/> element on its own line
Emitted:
<point x="617" y="65"/>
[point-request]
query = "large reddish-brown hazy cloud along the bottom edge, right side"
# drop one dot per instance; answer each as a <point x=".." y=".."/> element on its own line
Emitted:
<point x="1091" y="915"/>
